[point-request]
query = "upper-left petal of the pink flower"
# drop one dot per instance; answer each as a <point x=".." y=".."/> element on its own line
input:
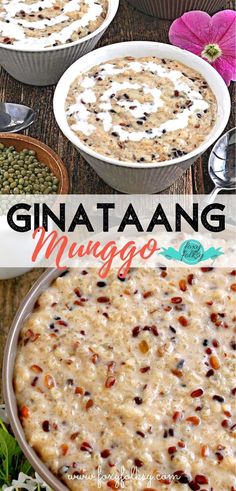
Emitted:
<point x="191" y="31"/>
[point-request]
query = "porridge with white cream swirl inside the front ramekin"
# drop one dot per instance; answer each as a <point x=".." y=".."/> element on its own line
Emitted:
<point x="141" y="110"/>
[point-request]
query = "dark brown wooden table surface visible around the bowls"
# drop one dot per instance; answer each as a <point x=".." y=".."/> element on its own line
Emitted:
<point x="128" y="25"/>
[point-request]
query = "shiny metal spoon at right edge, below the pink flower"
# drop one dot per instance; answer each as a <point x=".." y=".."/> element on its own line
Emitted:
<point x="222" y="164"/>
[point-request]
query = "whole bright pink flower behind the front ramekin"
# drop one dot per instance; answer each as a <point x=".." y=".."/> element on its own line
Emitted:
<point x="212" y="38"/>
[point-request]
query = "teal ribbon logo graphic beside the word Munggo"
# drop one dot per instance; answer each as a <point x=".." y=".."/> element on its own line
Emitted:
<point x="191" y="252"/>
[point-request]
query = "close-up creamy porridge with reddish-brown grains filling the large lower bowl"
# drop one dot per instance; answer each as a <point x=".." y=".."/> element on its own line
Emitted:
<point x="134" y="373"/>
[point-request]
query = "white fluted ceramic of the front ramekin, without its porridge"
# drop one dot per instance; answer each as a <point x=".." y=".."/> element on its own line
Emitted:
<point x="136" y="178"/>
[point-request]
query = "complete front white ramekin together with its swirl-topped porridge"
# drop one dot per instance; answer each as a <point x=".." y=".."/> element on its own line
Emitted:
<point x="143" y="113"/>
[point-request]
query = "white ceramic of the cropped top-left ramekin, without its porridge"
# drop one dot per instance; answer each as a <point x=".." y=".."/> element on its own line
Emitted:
<point x="37" y="66"/>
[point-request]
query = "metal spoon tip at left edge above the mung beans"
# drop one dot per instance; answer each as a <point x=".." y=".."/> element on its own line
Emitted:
<point x="15" y="117"/>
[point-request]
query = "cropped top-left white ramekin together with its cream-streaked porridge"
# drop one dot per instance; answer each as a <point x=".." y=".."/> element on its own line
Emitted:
<point x="40" y="39"/>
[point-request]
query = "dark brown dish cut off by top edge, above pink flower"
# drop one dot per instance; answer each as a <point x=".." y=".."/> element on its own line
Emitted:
<point x="171" y="9"/>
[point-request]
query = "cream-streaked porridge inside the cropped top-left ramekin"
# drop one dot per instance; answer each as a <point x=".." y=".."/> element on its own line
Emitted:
<point x="45" y="23"/>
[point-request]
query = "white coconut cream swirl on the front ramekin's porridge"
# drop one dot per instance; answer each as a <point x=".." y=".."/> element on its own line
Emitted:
<point x="80" y="109"/>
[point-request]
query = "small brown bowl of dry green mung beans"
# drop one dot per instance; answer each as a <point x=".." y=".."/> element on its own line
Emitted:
<point x="28" y="166"/>
